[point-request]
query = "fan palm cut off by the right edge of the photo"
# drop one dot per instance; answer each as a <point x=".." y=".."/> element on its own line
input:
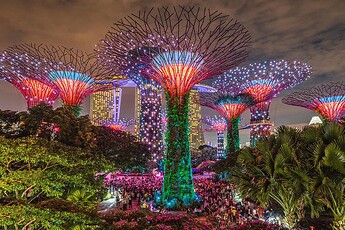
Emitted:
<point x="327" y="146"/>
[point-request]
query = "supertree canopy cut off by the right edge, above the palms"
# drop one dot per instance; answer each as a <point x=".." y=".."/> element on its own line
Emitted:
<point x="326" y="99"/>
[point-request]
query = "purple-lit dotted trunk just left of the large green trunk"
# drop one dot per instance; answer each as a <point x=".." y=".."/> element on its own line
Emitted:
<point x="150" y="124"/>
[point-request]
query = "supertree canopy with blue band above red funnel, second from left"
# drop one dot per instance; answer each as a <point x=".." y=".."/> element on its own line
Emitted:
<point x="69" y="70"/>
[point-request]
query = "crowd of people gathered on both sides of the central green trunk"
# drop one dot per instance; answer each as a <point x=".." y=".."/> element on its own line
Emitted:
<point x="218" y="198"/>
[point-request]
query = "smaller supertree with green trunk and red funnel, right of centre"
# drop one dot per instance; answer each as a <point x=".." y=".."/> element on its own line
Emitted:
<point x="230" y="105"/>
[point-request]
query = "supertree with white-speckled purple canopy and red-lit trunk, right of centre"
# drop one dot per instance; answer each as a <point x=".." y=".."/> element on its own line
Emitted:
<point x="264" y="81"/>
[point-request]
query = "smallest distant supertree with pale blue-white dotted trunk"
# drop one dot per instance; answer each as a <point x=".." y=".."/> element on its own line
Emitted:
<point x="219" y="125"/>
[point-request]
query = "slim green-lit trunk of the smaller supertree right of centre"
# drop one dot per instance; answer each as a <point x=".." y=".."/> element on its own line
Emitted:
<point x="232" y="136"/>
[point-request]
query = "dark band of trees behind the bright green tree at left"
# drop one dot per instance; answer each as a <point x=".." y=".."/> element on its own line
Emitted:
<point x="64" y="126"/>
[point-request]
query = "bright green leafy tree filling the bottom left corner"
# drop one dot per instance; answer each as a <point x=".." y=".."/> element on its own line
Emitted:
<point x="38" y="175"/>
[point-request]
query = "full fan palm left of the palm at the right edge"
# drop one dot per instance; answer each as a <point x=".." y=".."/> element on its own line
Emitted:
<point x="273" y="172"/>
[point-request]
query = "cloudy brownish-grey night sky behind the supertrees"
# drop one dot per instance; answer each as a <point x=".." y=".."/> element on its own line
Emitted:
<point x="311" y="31"/>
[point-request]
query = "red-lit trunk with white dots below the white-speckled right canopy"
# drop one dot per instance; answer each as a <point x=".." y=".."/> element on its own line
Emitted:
<point x="260" y="122"/>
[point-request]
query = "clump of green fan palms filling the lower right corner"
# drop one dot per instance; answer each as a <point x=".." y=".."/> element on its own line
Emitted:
<point x="297" y="169"/>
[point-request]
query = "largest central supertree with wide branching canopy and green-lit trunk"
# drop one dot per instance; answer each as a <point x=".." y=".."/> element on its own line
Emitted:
<point x="195" y="44"/>
